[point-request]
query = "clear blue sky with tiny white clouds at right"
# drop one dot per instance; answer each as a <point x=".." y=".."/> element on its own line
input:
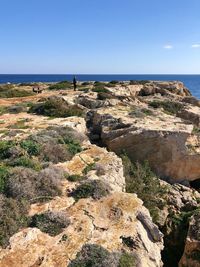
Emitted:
<point x="100" y="36"/>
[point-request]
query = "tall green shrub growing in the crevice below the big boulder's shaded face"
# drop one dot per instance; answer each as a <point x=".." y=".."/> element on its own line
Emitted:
<point x="142" y="181"/>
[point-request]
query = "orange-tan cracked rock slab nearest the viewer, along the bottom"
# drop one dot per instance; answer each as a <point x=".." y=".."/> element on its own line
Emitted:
<point x="107" y="222"/>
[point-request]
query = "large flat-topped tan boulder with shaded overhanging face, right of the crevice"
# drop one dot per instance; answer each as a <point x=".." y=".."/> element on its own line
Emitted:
<point x="164" y="142"/>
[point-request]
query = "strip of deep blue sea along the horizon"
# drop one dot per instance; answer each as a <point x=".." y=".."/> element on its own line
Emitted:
<point x="192" y="82"/>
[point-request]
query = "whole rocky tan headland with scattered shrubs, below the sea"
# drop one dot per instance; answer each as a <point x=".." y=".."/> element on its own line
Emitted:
<point x="105" y="176"/>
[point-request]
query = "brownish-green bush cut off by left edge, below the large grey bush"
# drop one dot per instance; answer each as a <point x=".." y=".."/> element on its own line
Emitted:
<point x="13" y="216"/>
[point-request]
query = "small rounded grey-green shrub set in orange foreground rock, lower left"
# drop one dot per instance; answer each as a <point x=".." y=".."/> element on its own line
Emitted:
<point x="51" y="223"/>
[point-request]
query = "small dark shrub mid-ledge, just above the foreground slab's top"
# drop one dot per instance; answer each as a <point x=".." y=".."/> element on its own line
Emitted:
<point x="93" y="188"/>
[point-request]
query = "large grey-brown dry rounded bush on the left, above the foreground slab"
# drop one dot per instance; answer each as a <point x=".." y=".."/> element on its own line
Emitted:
<point x="24" y="183"/>
